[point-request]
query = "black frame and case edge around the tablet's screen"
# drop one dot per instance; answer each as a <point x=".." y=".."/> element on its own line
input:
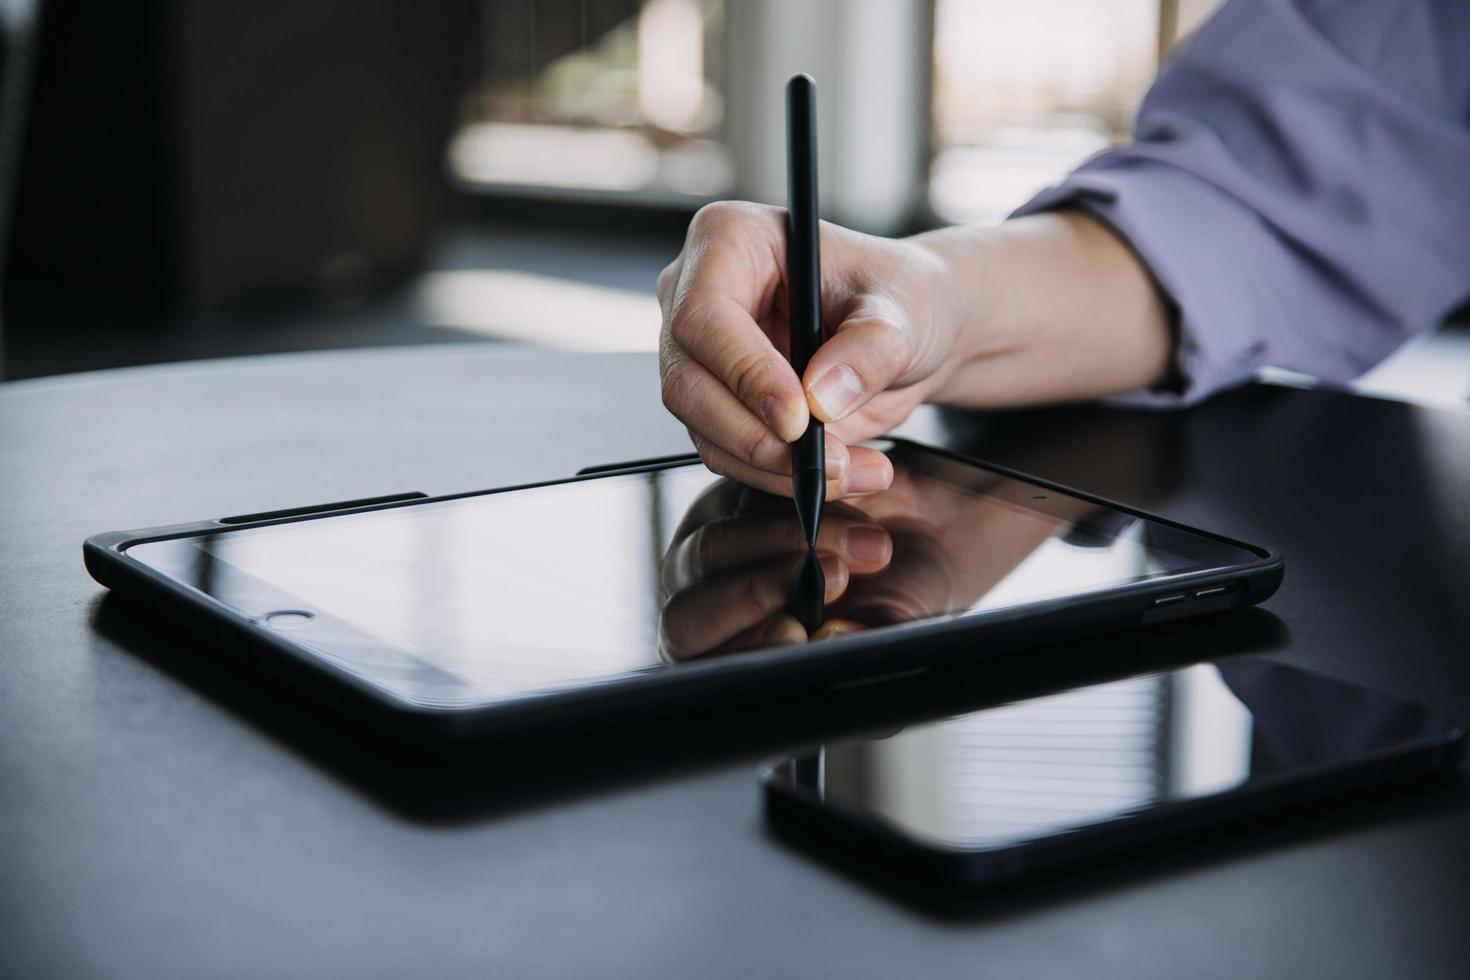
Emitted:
<point x="905" y="647"/>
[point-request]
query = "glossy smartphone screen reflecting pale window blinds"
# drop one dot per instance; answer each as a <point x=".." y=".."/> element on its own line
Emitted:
<point x="1105" y="756"/>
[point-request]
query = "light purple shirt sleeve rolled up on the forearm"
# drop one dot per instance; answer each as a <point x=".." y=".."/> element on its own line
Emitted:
<point x="1299" y="184"/>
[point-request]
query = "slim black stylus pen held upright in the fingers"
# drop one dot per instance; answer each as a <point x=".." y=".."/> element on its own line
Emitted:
<point x="805" y="292"/>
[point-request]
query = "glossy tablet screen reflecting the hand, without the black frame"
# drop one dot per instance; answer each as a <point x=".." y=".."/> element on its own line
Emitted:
<point x="501" y="596"/>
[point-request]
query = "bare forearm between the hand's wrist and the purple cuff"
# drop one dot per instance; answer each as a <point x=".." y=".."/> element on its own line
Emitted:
<point x="1047" y="308"/>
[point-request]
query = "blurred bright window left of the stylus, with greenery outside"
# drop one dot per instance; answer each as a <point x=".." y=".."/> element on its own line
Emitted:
<point x="598" y="99"/>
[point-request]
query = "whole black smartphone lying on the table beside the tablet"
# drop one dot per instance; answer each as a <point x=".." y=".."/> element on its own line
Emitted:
<point x="1008" y="793"/>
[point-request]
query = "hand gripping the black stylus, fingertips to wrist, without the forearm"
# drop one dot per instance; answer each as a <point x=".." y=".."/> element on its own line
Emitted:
<point x="724" y="347"/>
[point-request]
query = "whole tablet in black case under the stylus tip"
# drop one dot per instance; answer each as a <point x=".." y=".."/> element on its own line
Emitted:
<point x="664" y="587"/>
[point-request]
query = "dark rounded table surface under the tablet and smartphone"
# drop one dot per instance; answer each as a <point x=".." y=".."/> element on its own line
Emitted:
<point x="162" y="815"/>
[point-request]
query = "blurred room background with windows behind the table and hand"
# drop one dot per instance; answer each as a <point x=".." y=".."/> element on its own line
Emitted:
<point x="186" y="180"/>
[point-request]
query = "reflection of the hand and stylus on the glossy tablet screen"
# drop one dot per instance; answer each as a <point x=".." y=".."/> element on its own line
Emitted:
<point x="921" y="549"/>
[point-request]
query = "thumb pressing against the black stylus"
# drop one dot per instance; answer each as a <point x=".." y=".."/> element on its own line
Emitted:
<point x="868" y="355"/>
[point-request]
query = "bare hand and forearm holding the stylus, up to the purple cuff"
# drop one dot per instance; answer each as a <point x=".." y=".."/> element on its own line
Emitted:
<point x="1047" y="308"/>
